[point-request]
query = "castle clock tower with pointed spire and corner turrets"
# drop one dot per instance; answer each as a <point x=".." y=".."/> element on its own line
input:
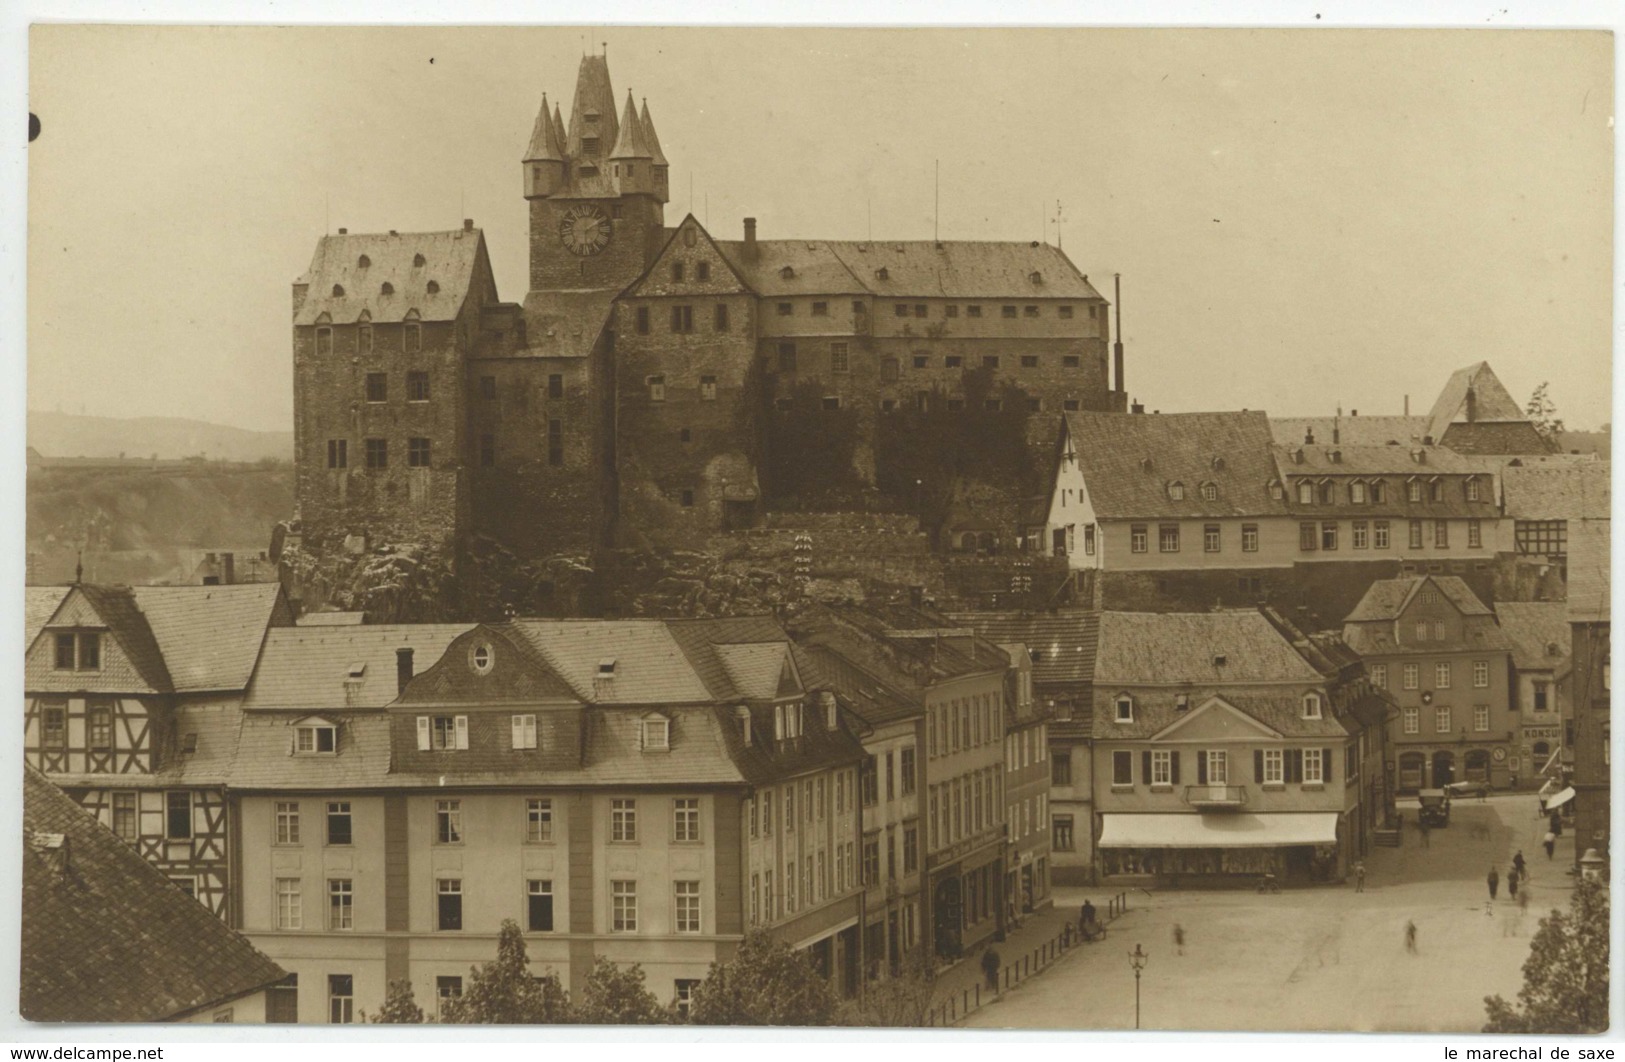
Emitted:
<point x="597" y="191"/>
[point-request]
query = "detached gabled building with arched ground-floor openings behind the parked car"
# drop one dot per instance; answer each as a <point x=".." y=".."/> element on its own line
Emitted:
<point x="1441" y="654"/>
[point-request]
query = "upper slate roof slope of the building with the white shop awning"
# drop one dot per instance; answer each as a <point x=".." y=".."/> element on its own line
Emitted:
<point x="1176" y="649"/>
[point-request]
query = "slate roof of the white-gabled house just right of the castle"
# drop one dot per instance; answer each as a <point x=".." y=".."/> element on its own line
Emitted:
<point x="1233" y="451"/>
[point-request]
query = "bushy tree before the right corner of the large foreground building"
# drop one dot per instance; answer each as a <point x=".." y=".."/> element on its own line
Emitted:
<point x="765" y="983"/>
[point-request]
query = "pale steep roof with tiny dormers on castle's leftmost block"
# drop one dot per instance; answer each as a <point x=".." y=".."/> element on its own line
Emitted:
<point x="449" y="261"/>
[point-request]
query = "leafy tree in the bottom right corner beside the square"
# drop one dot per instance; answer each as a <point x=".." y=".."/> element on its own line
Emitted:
<point x="1567" y="973"/>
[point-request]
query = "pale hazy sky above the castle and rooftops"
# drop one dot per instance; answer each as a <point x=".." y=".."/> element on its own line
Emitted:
<point x="1302" y="218"/>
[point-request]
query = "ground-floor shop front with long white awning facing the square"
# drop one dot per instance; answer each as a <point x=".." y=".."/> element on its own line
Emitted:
<point x="1221" y="850"/>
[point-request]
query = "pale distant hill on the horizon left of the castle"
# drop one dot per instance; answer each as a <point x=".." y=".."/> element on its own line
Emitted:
<point x="74" y="436"/>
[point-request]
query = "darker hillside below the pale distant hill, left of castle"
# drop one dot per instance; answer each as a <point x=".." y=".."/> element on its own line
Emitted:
<point x="144" y="527"/>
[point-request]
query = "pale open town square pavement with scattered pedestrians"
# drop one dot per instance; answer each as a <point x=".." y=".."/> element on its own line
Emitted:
<point x="1320" y="959"/>
